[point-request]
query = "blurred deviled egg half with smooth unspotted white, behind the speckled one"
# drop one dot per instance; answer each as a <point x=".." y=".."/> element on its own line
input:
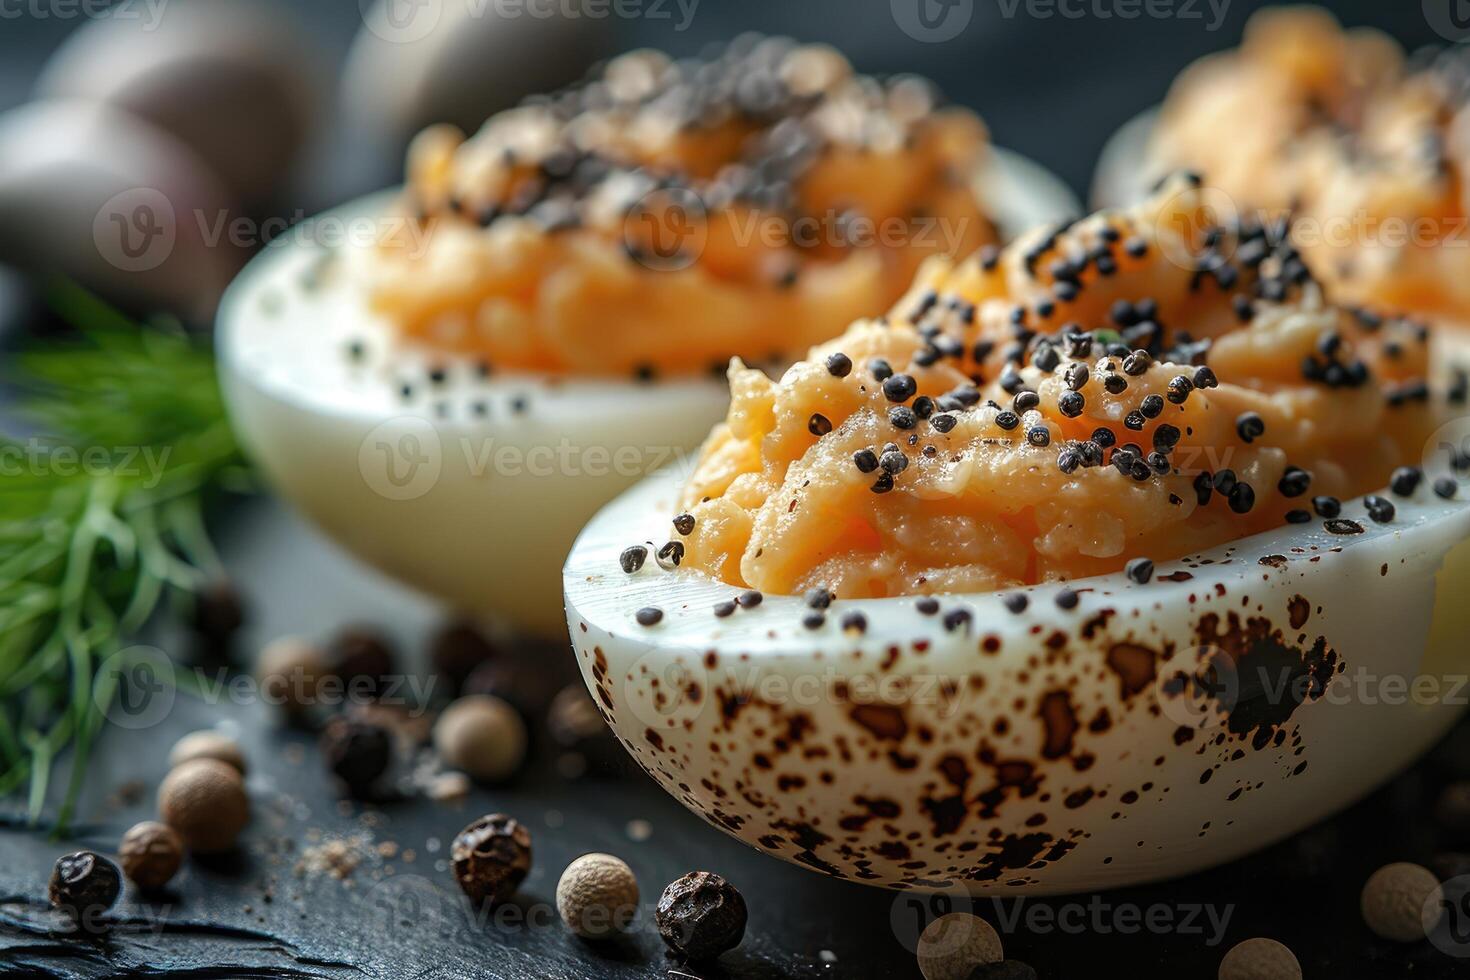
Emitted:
<point x="451" y="380"/>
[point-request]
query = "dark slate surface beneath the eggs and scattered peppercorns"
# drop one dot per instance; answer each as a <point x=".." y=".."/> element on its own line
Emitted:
<point x="254" y="916"/>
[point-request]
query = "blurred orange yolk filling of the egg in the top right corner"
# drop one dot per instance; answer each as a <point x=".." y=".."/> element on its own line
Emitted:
<point x="1369" y="149"/>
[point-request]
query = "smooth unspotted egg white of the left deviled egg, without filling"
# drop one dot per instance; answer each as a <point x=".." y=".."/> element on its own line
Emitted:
<point x="470" y="489"/>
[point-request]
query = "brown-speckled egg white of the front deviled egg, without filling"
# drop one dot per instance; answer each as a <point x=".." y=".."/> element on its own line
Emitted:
<point x="1140" y="732"/>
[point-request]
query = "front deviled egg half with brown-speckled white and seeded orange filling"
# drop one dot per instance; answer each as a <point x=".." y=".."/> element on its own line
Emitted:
<point x="1099" y="561"/>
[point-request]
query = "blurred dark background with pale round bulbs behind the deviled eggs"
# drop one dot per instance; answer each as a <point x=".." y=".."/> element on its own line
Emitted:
<point x="261" y="114"/>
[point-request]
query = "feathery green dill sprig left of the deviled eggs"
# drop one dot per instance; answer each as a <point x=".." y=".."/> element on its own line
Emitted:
<point x="101" y="519"/>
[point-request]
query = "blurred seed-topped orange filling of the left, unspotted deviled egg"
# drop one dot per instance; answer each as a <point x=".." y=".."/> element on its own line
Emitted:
<point x="667" y="215"/>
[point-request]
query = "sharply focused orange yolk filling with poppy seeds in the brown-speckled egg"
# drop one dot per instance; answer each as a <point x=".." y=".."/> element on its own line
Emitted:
<point x="1140" y="384"/>
